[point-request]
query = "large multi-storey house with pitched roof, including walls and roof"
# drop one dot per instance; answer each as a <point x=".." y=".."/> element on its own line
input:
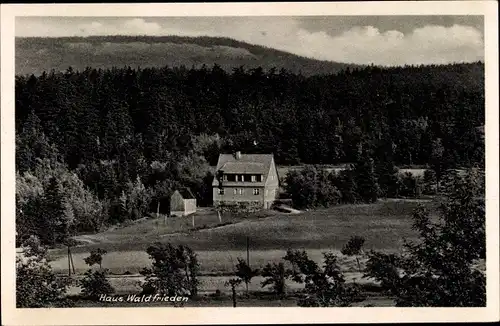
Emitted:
<point x="245" y="179"/>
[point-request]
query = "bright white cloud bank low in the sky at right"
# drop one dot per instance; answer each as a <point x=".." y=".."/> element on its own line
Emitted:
<point x="365" y="45"/>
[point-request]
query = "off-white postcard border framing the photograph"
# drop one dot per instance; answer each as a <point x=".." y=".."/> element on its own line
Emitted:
<point x="165" y="315"/>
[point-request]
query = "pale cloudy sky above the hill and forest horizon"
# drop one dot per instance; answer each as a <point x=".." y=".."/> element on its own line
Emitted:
<point x="381" y="40"/>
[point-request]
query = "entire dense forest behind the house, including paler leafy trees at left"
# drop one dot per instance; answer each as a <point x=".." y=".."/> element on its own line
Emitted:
<point x="102" y="145"/>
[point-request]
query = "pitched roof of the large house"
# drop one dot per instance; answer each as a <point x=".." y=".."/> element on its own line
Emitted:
<point x="247" y="163"/>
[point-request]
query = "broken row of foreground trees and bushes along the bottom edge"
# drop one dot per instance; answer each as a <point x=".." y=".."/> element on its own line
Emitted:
<point x="438" y="270"/>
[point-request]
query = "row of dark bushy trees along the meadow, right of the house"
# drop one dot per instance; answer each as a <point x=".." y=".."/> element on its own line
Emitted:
<point x="364" y="181"/>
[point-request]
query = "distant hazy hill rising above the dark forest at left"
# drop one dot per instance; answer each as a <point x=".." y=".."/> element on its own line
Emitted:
<point x="35" y="55"/>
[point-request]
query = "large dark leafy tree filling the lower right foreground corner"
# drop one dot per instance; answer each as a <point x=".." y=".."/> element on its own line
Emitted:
<point x="440" y="269"/>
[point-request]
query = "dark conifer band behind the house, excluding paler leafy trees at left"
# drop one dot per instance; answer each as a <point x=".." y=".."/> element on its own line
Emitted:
<point x="150" y="113"/>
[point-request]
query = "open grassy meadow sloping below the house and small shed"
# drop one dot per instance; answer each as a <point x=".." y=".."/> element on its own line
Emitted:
<point x="384" y="225"/>
